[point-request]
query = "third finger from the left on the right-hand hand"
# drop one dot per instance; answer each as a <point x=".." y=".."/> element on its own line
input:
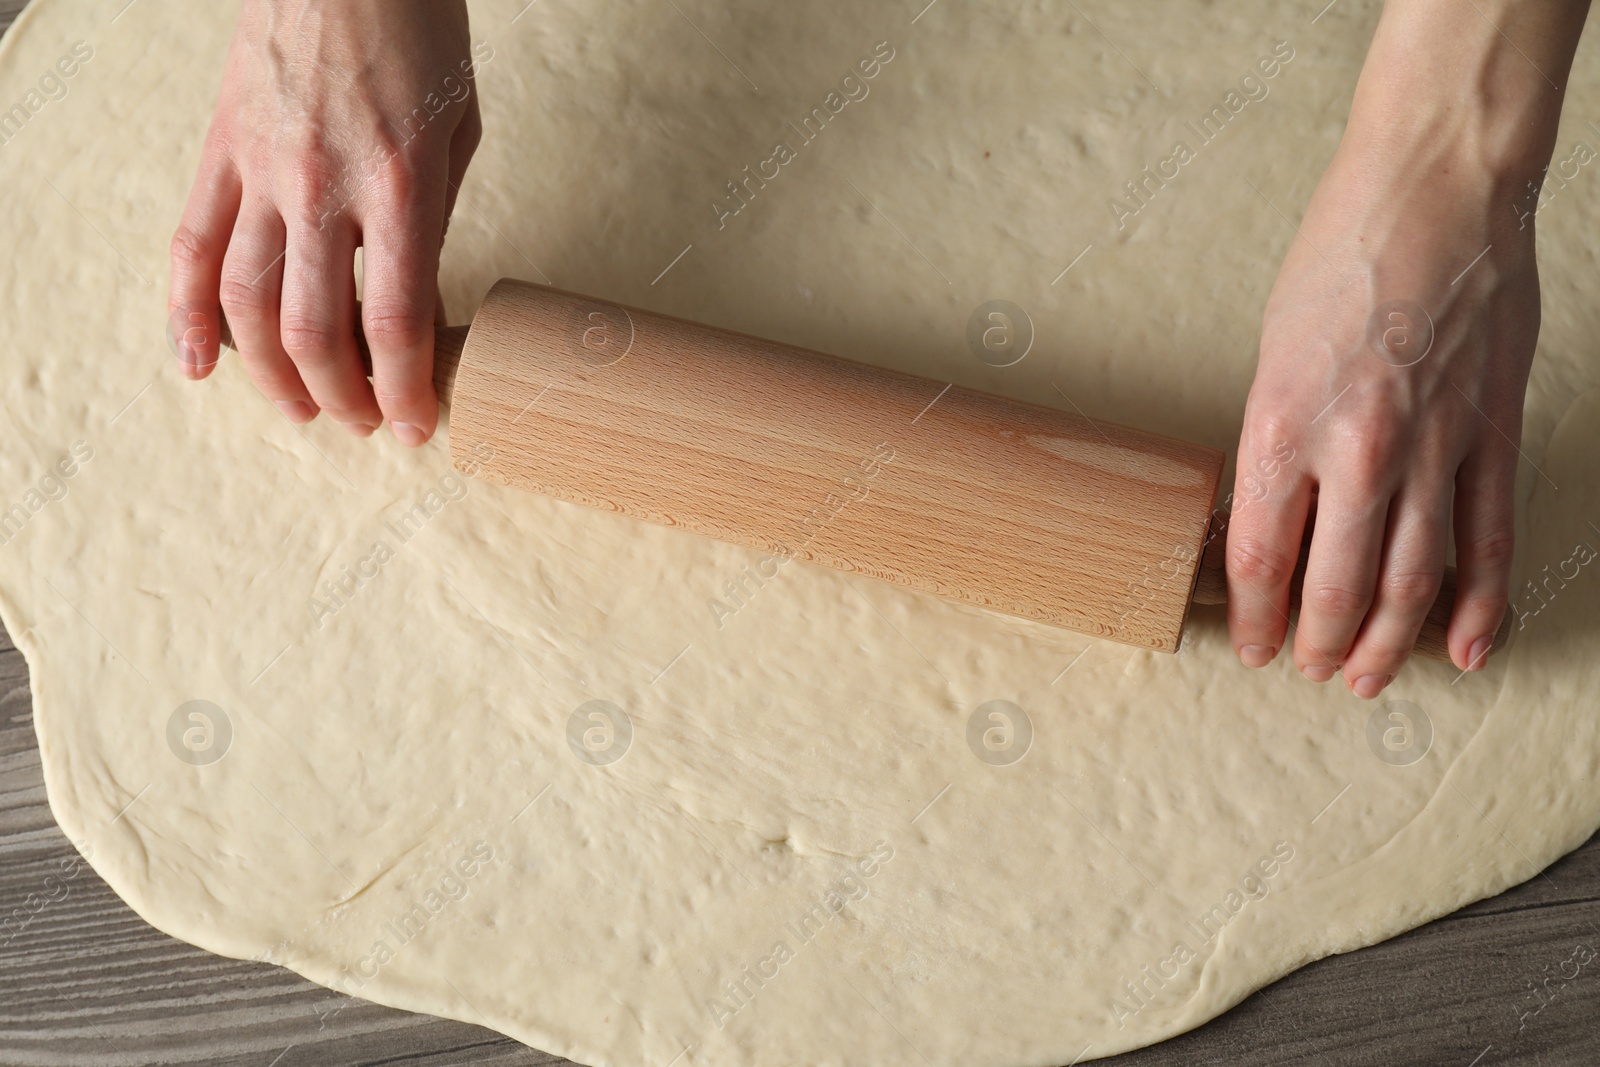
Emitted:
<point x="1409" y="580"/>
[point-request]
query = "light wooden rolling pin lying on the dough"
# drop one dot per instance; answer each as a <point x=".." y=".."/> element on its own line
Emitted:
<point x="1012" y="506"/>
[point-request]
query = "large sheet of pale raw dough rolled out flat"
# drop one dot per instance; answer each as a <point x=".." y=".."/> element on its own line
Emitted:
<point x="401" y="809"/>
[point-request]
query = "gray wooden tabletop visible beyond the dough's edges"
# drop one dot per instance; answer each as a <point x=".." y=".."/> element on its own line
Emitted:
<point x="86" y="981"/>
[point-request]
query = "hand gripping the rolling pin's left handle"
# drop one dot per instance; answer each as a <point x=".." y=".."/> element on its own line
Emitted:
<point x="340" y="126"/>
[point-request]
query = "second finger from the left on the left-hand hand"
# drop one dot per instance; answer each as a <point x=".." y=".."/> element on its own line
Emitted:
<point x="250" y="290"/>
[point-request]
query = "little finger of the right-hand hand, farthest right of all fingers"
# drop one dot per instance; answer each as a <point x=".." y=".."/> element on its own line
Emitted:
<point x="1486" y="502"/>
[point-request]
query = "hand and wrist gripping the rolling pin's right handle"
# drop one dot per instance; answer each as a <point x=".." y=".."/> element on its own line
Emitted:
<point x="1396" y="351"/>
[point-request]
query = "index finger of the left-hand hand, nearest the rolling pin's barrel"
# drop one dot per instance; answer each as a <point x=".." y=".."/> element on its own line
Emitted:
<point x="401" y="260"/>
